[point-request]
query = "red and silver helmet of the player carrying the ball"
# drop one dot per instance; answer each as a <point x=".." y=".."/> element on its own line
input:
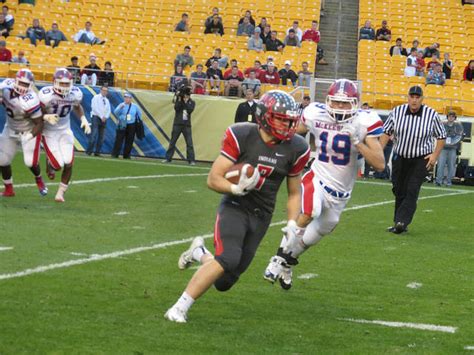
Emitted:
<point x="277" y="114"/>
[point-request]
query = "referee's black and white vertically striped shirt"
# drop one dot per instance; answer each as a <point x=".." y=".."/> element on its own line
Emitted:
<point x="414" y="133"/>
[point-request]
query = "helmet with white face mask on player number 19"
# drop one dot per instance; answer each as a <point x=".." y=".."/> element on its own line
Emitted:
<point x="342" y="90"/>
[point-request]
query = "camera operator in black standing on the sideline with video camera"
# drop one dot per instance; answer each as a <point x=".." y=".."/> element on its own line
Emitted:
<point x="183" y="107"/>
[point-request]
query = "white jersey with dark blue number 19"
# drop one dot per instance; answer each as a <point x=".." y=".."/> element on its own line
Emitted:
<point x="336" y="158"/>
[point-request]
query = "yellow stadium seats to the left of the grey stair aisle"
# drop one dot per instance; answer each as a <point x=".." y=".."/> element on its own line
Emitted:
<point x="141" y="43"/>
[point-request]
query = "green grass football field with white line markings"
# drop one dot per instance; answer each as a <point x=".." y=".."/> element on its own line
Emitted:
<point x="96" y="274"/>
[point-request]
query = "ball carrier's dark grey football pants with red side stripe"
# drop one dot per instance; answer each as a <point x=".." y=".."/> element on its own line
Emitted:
<point x="237" y="234"/>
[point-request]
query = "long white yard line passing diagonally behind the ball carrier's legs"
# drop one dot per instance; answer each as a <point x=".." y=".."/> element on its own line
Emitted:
<point x="117" y="254"/>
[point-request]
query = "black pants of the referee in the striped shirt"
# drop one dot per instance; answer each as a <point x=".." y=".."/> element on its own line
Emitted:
<point x="408" y="174"/>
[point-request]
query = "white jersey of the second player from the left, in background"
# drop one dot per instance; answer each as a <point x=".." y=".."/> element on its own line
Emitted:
<point x="61" y="105"/>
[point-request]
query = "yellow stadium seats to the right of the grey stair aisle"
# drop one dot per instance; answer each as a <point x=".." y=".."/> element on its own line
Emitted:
<point x="444" y="21"/>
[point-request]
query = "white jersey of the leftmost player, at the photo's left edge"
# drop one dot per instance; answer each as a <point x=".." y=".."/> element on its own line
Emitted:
<point x="20" y="109"/>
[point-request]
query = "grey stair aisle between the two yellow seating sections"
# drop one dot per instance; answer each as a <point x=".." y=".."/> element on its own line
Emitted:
<point x="339" y="41"/>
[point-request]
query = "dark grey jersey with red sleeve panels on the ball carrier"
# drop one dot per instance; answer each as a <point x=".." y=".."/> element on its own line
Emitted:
<point x="242" y="143"/>
